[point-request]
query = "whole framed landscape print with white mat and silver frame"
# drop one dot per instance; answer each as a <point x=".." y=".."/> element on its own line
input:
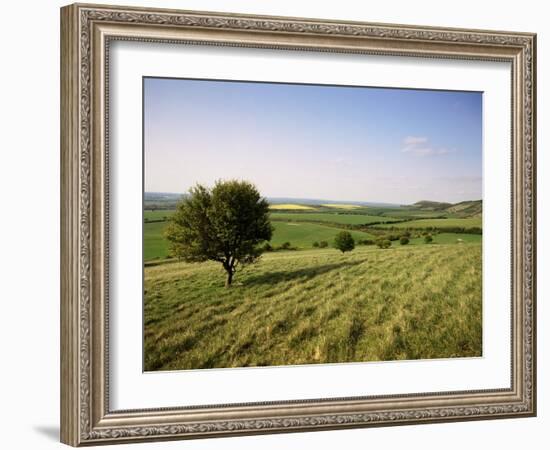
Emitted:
<point x="276" y="224"/>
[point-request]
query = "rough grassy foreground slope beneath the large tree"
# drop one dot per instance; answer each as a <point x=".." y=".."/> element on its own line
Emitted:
<point x="316" y="306"/>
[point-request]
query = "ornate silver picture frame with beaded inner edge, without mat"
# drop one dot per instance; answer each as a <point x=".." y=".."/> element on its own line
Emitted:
<point x="87" y="32"/>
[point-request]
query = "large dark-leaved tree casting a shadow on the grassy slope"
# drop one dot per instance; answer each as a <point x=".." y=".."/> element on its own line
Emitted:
<point x="226" y="223"/>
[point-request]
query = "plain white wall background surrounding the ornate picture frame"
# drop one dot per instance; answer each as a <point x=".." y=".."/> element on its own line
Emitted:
<point x="29" y="226"/>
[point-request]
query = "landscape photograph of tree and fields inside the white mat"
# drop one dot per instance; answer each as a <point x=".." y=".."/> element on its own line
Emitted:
<point x="292" y="224"/>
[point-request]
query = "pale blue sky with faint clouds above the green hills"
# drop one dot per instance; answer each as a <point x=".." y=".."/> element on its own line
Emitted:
<point x="311" y="141"/>
